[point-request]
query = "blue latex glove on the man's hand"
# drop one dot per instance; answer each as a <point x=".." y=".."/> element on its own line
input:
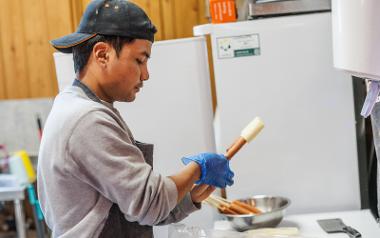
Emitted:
<point x="215" y="169"/>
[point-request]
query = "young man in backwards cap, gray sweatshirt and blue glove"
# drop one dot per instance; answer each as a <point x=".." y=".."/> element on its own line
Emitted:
<point x="94" y="178"/>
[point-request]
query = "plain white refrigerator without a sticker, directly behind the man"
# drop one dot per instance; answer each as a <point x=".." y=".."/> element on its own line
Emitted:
<point x="173" y="110"/>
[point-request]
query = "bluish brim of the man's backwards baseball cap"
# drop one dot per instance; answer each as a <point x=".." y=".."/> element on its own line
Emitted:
<point x="66" y="43"/>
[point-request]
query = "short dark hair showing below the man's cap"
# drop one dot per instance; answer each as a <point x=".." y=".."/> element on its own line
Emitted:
<point x="82" y="52"/>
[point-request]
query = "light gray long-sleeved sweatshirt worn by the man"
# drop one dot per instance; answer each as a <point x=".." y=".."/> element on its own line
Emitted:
<point x="87" y="162"/>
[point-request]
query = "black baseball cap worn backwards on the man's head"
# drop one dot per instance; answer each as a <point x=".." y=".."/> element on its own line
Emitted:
<point x="112" y="18"/>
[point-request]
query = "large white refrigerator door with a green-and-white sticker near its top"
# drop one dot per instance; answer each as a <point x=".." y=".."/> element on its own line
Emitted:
<point x="281" y="69"/>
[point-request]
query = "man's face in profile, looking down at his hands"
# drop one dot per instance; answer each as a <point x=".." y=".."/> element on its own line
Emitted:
<point x="124" y="75"/>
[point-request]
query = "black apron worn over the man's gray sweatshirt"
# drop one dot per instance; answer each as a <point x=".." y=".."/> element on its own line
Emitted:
<point x="116" y="225"/>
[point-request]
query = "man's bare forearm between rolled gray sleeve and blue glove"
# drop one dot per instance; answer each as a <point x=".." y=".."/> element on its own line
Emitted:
<point x="186" y="178"/>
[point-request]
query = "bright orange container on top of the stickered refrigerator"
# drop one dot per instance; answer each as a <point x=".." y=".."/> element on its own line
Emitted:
<point x="222" y="11"/>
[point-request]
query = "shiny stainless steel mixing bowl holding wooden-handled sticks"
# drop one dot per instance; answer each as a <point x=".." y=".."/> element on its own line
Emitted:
<point x="273" y="209"/>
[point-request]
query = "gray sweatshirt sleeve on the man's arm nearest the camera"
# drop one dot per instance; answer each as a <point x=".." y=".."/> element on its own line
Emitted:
<point x="104" y="157"/>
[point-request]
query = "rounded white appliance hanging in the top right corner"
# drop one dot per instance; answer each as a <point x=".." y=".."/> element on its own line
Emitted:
<point x="356" y="31"/>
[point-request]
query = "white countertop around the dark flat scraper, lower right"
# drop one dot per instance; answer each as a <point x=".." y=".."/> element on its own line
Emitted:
<point x="362" y="221"/>
